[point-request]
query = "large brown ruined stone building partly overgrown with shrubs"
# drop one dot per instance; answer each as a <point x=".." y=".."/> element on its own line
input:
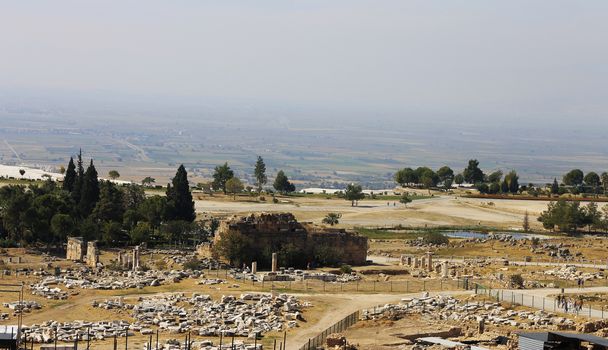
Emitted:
<point x="297" y="244"/>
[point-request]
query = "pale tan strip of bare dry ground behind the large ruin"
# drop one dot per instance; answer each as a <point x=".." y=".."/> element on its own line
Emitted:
<point x="441" y="210"/>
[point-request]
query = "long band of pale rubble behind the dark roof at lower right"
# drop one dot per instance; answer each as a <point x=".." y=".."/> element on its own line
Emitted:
<point x="448" y="308"/>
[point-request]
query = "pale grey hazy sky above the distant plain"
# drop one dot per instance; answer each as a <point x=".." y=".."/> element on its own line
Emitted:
<point x="522" y="59"/>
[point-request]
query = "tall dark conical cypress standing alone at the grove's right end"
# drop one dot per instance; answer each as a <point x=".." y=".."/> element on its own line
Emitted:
<point x="179" y="199"/>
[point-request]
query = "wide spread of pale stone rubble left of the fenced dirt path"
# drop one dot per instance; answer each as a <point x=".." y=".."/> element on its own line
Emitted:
<point x="245" y="316"/>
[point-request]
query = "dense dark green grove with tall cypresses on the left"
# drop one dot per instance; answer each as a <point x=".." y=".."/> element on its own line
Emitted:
<point x="99" y="210"/>
